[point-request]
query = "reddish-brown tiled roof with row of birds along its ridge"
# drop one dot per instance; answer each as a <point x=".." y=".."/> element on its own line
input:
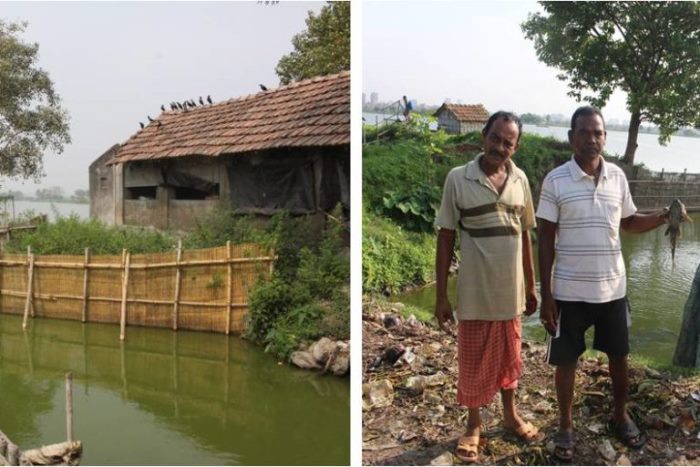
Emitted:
<point x="313" y="112"/>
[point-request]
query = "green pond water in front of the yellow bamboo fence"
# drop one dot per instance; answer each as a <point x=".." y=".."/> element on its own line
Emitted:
<point x="166" y="398"/>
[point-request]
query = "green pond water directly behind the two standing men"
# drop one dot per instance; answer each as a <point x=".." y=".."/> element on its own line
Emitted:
<point x="657" y="289"/>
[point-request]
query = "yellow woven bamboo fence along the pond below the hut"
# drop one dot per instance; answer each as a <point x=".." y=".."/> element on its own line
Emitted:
<point x="202" y="290"/>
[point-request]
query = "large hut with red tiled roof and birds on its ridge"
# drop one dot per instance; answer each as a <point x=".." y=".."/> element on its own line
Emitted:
<point x="281" y="149"/>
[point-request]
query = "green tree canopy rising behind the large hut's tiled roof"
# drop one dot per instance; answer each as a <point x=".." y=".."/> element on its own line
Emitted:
<point x="323" y="49"/>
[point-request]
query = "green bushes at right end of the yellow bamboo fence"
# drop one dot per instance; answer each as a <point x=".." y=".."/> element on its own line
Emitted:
<point x="308" y="296"/>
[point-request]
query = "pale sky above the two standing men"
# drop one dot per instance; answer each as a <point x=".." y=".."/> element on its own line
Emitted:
<point x="473" y="51"/>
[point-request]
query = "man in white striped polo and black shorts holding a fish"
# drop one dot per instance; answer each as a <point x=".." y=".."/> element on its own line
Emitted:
<point x="583" y="204"/>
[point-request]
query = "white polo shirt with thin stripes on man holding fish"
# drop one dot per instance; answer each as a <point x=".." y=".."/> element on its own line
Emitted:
<point x="588" y="263"/>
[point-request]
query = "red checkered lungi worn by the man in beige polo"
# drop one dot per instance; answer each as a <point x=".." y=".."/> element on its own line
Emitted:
<point x="489" y="360"/>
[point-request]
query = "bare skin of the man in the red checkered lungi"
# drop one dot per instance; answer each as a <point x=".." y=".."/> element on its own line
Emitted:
<point x="500" y="143"/>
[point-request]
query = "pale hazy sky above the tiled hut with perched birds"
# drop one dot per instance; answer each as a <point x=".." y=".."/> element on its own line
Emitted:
<point x="115" y="63"/>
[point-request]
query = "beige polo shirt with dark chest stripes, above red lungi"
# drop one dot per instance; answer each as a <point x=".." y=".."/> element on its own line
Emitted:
<point x="490" y="283"/>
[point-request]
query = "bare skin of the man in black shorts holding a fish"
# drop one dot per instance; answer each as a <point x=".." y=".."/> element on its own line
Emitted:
<point x="587" y="140"/>
